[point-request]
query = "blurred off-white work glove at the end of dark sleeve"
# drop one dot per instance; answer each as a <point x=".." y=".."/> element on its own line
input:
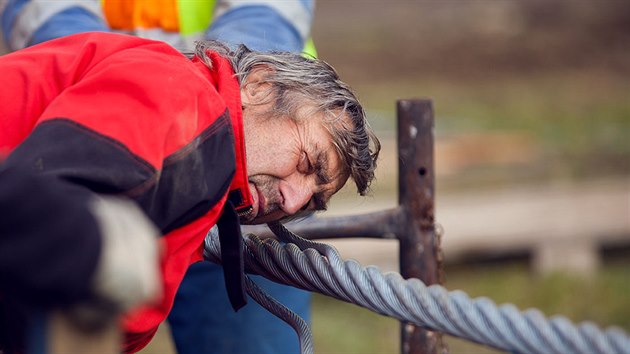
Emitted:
<point x="128" y="271"/>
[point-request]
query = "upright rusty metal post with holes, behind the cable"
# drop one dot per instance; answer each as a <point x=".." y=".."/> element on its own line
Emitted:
<point x="417" y="237"/>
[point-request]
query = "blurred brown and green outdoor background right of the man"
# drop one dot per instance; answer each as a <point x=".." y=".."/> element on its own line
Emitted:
<point x="532" y="124"/>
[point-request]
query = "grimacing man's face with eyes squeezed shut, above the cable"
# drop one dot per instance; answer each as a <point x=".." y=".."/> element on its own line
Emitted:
<point x="292" y="165"/>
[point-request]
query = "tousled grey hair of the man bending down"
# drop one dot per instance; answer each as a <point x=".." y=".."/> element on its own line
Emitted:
<point x="292" y="77"/>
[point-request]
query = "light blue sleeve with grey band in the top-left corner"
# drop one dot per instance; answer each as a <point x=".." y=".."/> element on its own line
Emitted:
<point x="28" y="22"/>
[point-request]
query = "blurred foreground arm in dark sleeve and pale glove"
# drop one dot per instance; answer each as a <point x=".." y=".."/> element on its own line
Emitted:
<point x="61" y="245"/>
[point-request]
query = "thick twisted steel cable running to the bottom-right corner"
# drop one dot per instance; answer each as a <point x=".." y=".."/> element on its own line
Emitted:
<point x="318" y="267"/>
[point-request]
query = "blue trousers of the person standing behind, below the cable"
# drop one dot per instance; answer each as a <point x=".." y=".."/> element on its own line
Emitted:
<point x="202" y="320"/>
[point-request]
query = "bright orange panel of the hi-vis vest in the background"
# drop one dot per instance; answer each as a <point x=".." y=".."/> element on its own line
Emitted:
<point x="132" y="14"/>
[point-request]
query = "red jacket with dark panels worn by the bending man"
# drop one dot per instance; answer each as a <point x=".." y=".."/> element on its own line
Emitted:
<point x="134" y="117"/>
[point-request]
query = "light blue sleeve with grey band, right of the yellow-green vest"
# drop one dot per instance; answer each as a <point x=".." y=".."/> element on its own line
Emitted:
<point x="263" y="25"/>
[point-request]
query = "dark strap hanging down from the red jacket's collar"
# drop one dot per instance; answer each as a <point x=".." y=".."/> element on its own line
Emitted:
<point x="232" y="256"/>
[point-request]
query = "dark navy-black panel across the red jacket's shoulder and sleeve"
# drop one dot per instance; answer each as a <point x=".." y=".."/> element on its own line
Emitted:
<point x="191" y="182"/>
